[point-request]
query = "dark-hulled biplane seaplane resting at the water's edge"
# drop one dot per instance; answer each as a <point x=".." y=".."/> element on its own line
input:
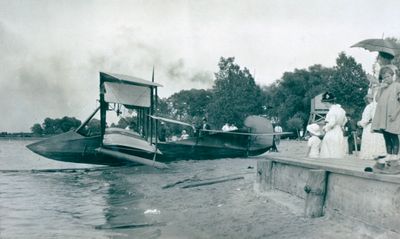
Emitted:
<point x="115" y="146"/>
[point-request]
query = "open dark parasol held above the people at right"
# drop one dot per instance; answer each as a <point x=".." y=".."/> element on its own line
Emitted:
<point x="381" y="45"/>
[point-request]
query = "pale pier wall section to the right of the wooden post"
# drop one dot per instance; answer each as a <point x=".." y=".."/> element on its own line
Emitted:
<point x="374" y="201"/>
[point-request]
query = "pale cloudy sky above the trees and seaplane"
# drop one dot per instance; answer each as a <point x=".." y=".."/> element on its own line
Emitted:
<point x="51" y="52"/>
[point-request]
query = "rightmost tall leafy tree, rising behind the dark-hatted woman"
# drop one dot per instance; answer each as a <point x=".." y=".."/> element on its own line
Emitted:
<point x="349" y="84"/>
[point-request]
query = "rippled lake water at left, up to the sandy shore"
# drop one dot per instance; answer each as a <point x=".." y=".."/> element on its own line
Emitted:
<point x="82" y="203"/>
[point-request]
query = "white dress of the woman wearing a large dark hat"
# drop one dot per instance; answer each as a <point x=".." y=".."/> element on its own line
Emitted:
<point x="333" y="145"/>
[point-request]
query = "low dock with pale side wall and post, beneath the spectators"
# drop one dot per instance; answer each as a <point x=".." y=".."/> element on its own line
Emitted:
<point x="334" y="186"/>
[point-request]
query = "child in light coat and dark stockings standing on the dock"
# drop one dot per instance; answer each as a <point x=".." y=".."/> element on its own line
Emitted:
<point x="387" y="116"/>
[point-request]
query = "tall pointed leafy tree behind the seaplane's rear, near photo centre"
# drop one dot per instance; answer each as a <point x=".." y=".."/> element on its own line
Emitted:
<point x="235" y="95"/>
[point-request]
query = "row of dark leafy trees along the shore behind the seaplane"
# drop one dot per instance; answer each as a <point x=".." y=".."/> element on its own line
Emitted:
<point x="235" y="95"/>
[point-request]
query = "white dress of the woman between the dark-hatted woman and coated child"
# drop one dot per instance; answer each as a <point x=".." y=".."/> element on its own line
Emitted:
<point x="372" y="144"/>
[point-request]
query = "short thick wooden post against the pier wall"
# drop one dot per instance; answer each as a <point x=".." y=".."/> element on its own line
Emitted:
<point x="316" y="190"/>
